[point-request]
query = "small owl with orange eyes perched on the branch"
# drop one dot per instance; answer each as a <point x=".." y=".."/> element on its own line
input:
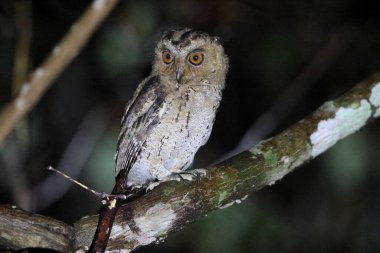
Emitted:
<point x="173" y="110"/>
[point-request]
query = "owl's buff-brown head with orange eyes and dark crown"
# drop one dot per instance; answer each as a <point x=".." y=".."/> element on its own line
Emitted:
<point x="188" y="57"/>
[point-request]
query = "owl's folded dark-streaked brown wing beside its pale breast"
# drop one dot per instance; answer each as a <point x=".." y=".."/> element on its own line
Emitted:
<point x="142" y="113"/>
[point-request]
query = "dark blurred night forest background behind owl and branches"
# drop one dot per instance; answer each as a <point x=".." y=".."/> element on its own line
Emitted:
<point x="287" y="58"/>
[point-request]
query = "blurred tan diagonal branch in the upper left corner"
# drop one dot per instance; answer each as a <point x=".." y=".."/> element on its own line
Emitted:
<point x="63" y="53"/>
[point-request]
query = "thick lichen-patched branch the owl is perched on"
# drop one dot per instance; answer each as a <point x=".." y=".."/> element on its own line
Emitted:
<point x="172" y="205"/>
